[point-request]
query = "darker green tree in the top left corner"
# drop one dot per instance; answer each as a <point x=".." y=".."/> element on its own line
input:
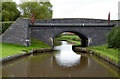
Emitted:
<point x="9" y="11"/>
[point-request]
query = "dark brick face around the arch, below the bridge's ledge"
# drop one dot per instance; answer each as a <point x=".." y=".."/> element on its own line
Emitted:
<point x="90" y="36"/>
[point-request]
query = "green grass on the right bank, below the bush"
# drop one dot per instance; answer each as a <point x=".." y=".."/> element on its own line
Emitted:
<point x="106" y="52"/>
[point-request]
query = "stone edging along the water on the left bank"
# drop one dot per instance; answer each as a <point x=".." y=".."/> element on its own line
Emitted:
<point x="11" y="58"/>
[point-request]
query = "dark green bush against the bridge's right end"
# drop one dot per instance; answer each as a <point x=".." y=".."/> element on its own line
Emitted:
<point x="114" y="38"/>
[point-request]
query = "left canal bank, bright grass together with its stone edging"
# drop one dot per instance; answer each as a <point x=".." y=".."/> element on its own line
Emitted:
<point x="12" y="52"/>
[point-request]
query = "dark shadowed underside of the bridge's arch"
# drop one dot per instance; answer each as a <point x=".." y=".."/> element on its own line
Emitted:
<point x="83" y="37"/>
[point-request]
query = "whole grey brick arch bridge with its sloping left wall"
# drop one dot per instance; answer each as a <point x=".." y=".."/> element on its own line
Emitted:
<point x="93" y="32"/>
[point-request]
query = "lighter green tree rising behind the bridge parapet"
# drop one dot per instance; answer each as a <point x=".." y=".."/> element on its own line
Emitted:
<point x="41" y="10"/>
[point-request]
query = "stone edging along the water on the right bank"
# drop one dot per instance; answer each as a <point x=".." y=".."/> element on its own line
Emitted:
<point x="98" y="55"/>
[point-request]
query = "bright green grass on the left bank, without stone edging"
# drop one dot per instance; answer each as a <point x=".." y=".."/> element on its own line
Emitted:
<point x="12" y="49"/>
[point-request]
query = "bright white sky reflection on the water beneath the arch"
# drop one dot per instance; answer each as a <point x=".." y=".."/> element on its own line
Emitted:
<point x="66" y="56"/>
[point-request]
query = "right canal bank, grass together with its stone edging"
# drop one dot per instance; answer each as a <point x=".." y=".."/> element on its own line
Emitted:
<point x="110" y="56"/>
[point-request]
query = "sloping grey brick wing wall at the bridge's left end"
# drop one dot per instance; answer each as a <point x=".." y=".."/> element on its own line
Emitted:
<point x="17" y="33"/>
